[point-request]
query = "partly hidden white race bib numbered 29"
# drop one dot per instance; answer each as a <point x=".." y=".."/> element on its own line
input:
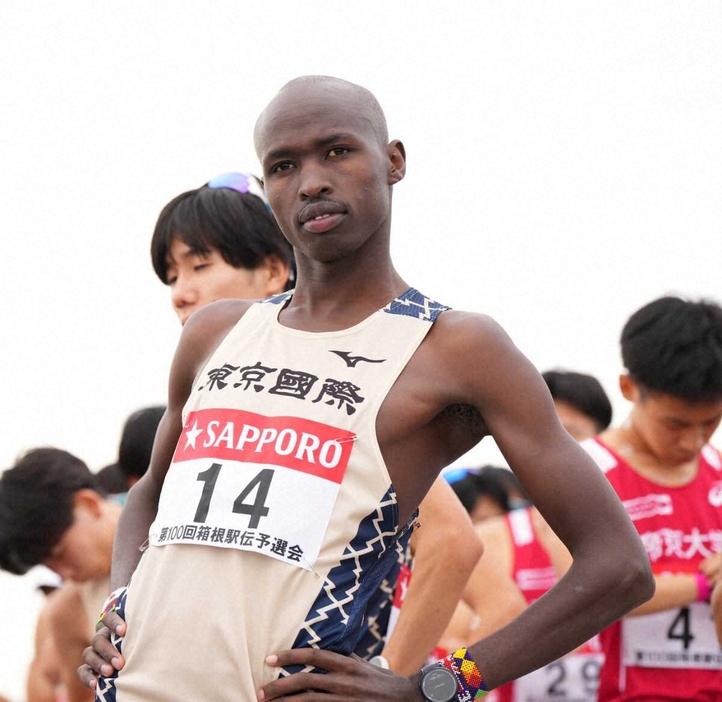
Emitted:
<point x="574" y="678"/>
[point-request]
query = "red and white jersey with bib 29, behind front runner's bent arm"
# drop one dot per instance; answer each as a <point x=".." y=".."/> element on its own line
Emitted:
<point x="575" y="677"/>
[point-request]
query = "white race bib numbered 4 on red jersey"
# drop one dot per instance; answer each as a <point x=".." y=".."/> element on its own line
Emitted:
<point x="676" y="638"/>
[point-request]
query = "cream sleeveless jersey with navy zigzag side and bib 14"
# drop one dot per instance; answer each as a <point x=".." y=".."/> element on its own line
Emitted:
<point x="277" y="519"/>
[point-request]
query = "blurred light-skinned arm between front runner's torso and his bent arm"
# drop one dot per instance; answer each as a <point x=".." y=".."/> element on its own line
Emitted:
<point x="446" y="548"/>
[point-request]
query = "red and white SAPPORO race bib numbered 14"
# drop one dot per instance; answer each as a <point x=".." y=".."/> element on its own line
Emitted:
<point x="245" y="481"/>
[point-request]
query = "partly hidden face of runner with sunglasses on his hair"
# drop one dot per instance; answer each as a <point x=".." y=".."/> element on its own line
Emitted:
<point x="196" y="279"/>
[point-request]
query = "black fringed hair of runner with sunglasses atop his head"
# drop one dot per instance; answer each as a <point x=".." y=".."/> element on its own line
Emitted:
<point x="238" y="225"/>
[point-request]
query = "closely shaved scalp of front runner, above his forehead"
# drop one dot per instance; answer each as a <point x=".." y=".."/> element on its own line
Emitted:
<point x="336" y="89"/>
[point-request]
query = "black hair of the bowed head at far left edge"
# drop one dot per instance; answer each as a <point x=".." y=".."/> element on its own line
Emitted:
<point x="36" y="505"/>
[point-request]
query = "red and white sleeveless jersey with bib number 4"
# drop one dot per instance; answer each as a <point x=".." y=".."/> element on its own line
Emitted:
<point x="674" y="654"/>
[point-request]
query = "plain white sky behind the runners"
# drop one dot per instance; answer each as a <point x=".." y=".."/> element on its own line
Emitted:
<point x="564" y="168"/>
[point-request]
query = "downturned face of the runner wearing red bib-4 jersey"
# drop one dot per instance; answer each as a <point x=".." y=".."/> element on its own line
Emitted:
<point x="673" y="429"/>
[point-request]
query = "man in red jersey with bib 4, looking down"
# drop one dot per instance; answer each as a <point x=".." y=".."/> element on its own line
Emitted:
<point x="670" y="481"/>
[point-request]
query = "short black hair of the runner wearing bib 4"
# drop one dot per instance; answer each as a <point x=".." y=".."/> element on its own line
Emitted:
<point x="674" y="346"/>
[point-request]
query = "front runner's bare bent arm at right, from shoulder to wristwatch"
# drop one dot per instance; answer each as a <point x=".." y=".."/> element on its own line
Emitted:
<point x="611" y="573"/>
